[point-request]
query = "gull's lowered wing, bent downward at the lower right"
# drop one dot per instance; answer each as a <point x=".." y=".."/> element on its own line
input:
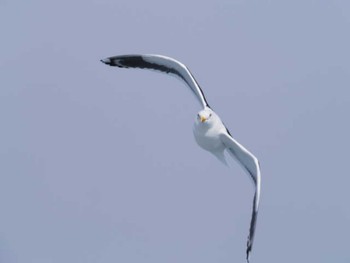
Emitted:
<point x="251" y="164"/>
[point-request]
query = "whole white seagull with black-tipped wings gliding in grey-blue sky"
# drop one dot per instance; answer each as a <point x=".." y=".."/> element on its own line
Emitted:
<point x="209" y="131"/>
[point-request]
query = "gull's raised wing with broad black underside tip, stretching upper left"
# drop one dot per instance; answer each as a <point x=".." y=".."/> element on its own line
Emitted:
<point x="159" y="63"/>
